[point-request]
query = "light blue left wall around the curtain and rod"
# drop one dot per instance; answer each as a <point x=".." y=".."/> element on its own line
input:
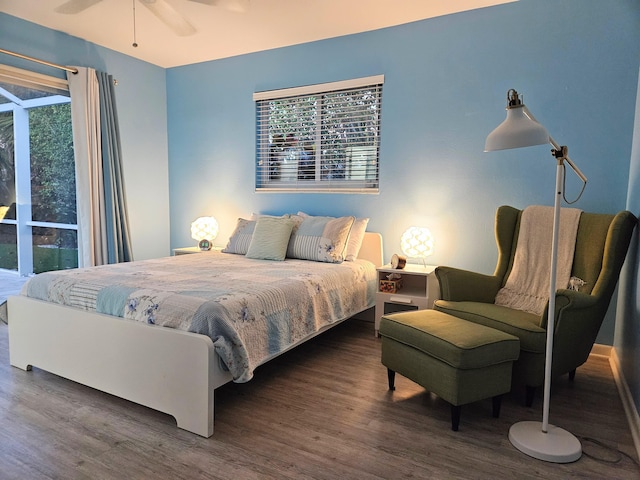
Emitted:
<point x="141" y="103"/>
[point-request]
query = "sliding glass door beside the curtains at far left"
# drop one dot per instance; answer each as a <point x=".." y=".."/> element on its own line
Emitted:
<point x="38" y="226"/>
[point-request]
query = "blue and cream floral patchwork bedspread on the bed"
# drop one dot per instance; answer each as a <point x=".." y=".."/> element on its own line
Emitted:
<point x="251" y="309"/>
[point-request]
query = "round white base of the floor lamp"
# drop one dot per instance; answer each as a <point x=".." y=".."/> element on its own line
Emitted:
<point x="557" y="445"/>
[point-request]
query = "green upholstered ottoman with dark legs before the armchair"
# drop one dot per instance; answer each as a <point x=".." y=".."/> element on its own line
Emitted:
<point x="460" y="361"/>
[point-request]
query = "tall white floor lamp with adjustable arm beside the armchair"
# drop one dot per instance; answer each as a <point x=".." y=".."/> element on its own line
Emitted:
<point x="520" y="129"/>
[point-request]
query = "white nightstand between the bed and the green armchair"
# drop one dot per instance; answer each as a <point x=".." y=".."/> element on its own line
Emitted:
<point x="419" y="290"/>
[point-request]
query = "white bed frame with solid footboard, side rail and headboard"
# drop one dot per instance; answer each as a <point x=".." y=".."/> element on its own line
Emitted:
<point x="169" y="370"/>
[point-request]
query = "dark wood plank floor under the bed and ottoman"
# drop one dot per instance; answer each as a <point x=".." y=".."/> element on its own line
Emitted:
<point x="321" y="411"/>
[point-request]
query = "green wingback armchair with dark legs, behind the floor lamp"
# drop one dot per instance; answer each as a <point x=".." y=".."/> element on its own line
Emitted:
<point x="601" y="246"/>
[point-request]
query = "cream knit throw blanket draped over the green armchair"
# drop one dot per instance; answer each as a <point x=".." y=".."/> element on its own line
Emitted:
<point x="527" y="287"/>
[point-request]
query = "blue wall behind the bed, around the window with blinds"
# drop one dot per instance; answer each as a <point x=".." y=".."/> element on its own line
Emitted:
<point x="445" y="87"/>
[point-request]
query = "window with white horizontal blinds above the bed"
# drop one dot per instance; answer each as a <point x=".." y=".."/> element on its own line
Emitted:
<point x="319" y="138"/>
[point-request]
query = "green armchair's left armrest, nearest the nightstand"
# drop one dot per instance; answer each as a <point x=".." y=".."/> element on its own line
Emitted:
<point x="462" y="285"/>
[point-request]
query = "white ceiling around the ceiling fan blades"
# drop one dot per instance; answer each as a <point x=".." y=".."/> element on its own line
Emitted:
<point x="221" y="33"/>
